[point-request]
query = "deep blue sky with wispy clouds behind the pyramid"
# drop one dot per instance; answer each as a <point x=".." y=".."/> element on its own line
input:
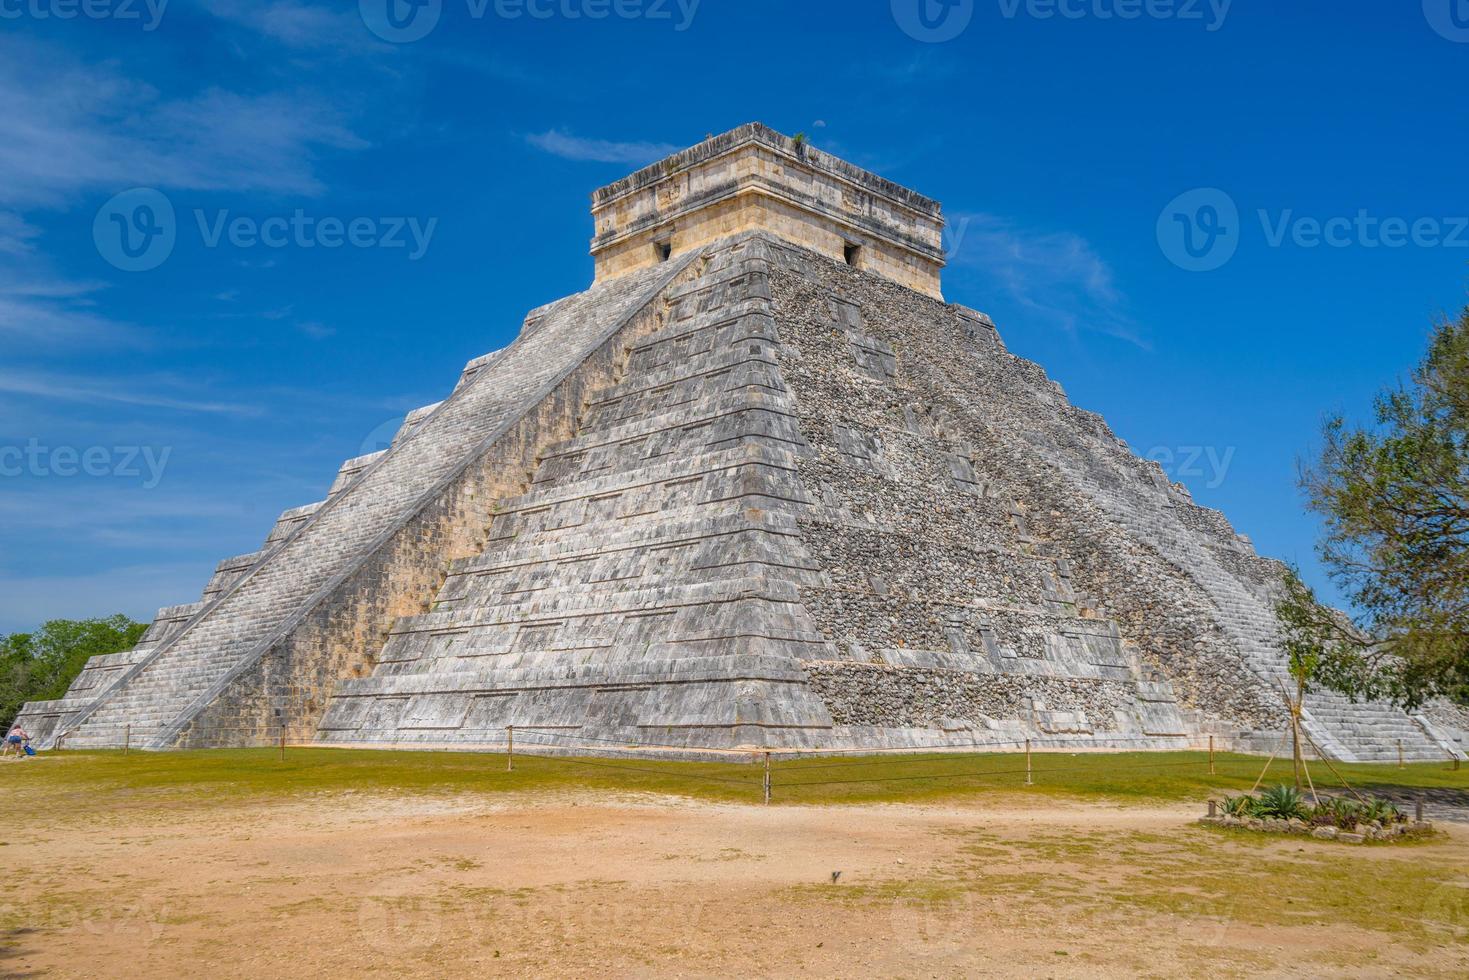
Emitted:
<point x="167" y="417"/>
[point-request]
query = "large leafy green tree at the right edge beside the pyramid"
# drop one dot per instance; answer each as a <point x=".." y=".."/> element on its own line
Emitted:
<point x="1395" y="503"/>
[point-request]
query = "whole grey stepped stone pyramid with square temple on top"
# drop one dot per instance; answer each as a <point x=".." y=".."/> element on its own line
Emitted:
<point x="757" y="487"/>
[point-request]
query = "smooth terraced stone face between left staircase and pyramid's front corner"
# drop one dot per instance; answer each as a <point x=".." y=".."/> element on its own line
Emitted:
<point x="647" y="584"/>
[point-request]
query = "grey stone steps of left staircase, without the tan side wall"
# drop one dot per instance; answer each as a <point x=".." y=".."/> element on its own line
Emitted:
<point x="320" y="544"/>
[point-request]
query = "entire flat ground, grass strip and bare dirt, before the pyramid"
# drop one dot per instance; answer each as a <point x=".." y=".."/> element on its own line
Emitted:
<point x="352" y="863"/>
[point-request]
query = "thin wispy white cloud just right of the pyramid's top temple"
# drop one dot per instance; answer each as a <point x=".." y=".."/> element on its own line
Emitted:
<point x="1057" y="275"/>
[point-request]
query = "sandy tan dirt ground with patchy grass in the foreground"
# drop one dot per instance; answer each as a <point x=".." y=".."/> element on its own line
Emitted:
<point x="581" y="885"/>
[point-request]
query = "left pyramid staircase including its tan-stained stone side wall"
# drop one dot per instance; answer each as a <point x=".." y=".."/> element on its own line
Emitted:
<point x="337" y="572"/>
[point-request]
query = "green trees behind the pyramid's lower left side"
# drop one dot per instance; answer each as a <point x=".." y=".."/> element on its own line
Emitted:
<point x="40" y="666"/>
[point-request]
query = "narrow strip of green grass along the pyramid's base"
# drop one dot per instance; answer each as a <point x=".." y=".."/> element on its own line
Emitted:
<point x="76" y="781"/>
